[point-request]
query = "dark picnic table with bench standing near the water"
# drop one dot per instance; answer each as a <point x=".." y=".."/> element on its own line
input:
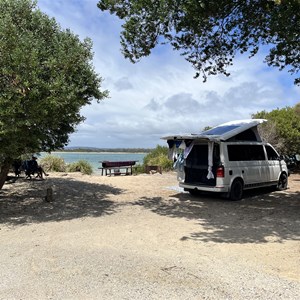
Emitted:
<point x="117" y="167"/>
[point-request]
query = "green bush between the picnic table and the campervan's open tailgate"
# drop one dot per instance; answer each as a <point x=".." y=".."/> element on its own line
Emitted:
<point x="159" y="156"/>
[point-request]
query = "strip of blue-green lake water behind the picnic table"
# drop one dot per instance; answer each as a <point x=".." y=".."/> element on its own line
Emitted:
<point x="95" y="158"/>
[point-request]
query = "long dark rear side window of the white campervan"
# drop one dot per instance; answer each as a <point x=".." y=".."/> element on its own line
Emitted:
<point x="245" y="152"/>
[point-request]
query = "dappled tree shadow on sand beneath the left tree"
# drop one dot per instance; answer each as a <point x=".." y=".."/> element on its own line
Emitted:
<point x="25" y="203"/>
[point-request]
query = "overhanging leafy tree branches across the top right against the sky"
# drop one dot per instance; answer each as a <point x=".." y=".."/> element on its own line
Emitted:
<point x="210" y="33"/>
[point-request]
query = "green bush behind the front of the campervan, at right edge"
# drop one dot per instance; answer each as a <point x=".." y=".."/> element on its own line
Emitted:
<point x="284" y="126"/>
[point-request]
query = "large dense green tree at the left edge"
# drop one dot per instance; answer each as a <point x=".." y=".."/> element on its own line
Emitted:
<point x="46" y="77"/>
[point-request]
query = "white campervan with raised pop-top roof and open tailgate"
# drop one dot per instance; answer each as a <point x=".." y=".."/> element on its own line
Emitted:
<point x="227" y="159"/>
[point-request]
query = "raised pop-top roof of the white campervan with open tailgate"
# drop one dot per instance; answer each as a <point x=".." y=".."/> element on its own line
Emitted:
<point x="238" y="130"/>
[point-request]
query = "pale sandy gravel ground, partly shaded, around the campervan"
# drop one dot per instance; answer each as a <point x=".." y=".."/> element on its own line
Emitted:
<point x="140" y="237"/>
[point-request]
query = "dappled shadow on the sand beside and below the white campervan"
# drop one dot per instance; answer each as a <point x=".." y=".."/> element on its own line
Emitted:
<point x="262" y="216"/>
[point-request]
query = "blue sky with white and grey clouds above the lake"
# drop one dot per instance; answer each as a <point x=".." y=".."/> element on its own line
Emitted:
<point x="158" y="96"/>
